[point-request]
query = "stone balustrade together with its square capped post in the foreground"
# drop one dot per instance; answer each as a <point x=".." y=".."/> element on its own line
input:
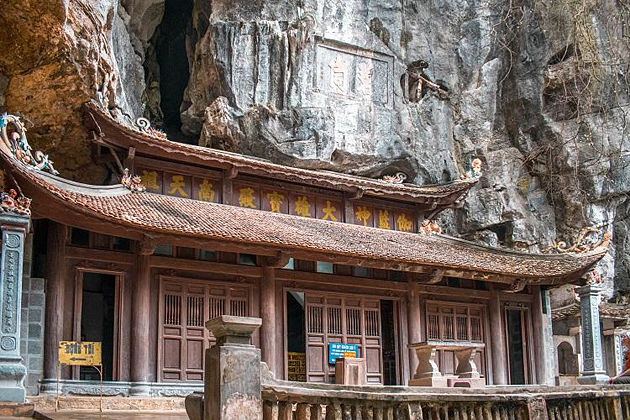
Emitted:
<point x="238" y="386"/>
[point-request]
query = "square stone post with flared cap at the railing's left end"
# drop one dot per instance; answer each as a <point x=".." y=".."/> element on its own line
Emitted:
<point x="232" y="374"/>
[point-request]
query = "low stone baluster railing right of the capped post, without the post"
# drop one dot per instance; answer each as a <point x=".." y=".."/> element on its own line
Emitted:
<point x="289" y="400"/>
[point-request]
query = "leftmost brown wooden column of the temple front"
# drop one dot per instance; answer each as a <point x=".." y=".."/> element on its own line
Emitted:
<point x="55" y="279"/>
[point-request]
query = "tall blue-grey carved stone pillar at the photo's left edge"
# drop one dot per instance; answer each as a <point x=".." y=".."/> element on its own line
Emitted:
<point x="12" y="371"/>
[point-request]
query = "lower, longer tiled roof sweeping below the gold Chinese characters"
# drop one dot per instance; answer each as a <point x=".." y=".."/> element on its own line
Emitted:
<point x="148" y="212"/>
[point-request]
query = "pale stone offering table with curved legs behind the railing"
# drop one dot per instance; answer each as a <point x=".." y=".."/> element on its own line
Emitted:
<point x="428" y="373"/>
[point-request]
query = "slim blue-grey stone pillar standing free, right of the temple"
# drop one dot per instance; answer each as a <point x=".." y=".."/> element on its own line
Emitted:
<point x="593" y="371"/>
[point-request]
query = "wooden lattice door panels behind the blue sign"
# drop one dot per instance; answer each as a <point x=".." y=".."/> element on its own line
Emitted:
<point x="342" y="319"/>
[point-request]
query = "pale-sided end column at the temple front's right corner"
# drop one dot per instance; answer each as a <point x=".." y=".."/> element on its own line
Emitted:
<point x="544" y="350"/>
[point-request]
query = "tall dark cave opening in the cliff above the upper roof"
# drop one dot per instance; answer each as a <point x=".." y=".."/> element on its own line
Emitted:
<point x="172" y="57"/>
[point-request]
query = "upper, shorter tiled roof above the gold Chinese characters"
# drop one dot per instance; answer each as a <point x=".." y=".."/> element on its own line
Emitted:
<point x="124" y="136"/>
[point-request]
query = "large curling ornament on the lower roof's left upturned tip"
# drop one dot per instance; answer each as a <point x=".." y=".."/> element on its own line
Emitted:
<point x="15" y="143"/>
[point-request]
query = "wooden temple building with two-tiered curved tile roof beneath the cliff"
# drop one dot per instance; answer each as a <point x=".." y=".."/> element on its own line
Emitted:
<point x="191" y="233"/>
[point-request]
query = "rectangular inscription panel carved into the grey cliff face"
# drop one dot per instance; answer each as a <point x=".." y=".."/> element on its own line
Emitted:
<point x="354" y="73"/>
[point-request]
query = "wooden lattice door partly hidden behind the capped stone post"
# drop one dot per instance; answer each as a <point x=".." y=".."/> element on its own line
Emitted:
<point x="185" y="306"/>
